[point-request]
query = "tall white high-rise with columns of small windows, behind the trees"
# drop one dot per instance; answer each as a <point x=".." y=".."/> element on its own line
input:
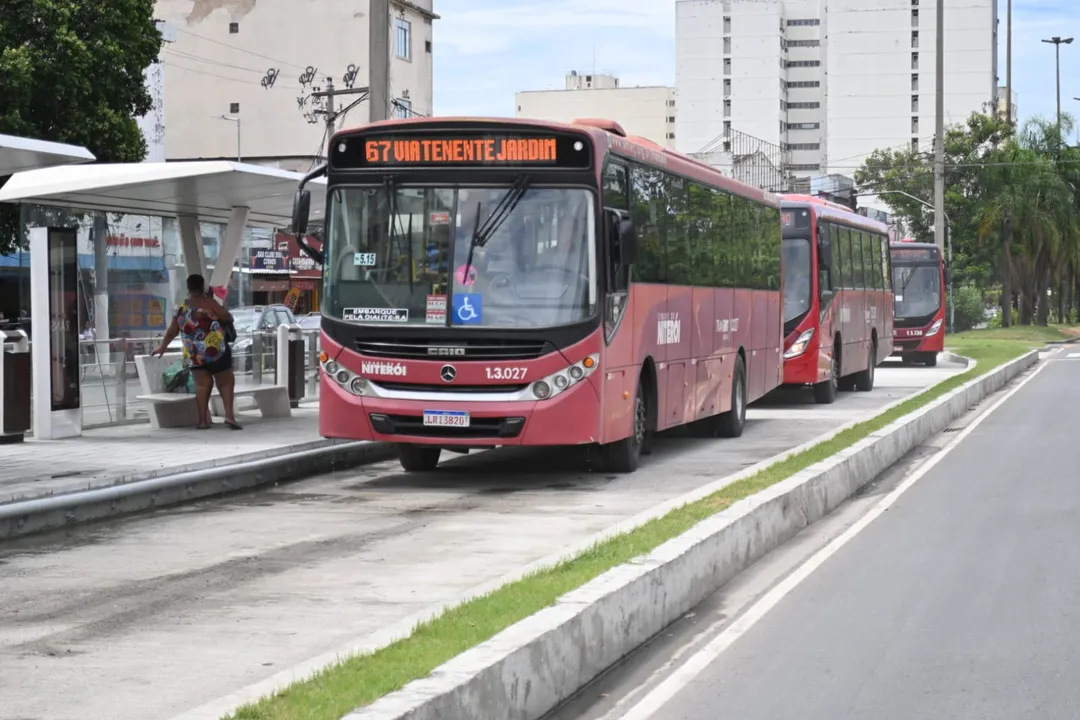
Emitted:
<point x="829" y="80"/>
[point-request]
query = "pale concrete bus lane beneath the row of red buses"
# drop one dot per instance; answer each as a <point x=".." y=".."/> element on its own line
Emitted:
<point x="178" y="609"/>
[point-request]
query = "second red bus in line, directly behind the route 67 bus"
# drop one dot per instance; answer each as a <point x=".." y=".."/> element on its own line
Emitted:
<point x="838" y="297"/>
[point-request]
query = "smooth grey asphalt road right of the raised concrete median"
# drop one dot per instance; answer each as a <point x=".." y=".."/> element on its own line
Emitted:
<point x="961" y="601"/>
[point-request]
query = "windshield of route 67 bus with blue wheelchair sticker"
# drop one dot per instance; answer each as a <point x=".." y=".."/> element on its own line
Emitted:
<point x="464" y="256"/>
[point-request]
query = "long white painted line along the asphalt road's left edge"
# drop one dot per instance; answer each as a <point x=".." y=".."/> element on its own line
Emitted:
<point x="700" y="661"/>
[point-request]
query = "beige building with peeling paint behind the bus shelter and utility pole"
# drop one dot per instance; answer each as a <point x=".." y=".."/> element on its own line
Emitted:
<point x="241" y="74"/>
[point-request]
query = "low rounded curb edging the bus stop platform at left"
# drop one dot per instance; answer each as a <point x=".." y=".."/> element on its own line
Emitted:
<point x="49" y="513"/>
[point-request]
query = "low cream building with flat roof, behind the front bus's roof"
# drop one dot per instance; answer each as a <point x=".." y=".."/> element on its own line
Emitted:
<point x="649" y="113"/>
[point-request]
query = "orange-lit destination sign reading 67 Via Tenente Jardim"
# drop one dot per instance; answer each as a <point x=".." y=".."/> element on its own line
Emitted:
<point x="463" y="150"/>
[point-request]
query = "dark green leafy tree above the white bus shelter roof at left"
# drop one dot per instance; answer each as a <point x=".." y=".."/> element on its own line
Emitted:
<point x="73" y="72"/>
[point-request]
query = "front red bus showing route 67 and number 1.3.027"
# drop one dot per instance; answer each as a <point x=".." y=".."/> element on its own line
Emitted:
<point x="524" y="283"/>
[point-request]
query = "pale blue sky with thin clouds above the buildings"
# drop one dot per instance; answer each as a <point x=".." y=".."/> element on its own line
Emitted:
<point x="489" y="50"/>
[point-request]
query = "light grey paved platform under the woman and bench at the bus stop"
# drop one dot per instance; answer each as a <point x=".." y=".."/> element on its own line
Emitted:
<point x="126" y="455"/>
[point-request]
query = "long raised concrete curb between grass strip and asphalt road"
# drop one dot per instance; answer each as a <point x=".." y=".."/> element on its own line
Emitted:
<point x="530" y="669"/>
